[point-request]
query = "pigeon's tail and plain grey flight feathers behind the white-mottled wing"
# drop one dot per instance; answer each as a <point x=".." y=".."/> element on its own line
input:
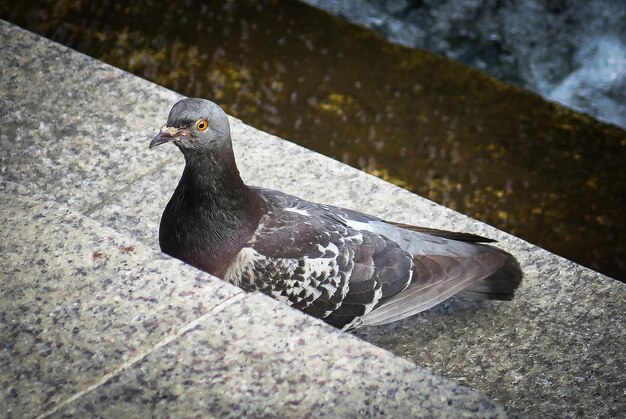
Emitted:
<point x="444" y="264"/>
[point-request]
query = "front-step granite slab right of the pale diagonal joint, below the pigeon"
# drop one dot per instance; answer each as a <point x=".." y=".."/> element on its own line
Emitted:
<point x="241" y="363"/>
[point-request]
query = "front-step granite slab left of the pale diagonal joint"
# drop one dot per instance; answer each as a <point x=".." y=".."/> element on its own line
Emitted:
<point x="78" y="301"/>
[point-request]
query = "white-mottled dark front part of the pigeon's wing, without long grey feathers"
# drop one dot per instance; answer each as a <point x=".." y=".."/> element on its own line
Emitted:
<point x="306" y="256"/>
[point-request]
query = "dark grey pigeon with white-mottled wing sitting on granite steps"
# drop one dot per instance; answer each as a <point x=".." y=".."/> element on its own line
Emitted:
<point x="345" y="267"/>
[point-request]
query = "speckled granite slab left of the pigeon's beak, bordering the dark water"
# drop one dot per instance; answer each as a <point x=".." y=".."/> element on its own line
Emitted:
<point x="70" y="128"/>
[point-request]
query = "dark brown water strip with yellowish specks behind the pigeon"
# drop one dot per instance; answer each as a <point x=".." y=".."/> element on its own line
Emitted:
<point x="492" y="151"/>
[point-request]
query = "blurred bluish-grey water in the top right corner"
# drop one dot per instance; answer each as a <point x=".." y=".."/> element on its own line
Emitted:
<point x="566" y="50"/>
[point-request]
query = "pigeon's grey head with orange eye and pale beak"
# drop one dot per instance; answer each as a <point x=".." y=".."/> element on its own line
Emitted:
<point x="194" y="125"/>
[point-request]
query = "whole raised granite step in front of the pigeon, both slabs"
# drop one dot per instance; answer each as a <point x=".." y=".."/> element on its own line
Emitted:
<point x="97" y="323"/>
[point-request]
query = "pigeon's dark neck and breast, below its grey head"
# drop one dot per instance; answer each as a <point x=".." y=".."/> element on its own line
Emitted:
<point x="212" y="213"/>
